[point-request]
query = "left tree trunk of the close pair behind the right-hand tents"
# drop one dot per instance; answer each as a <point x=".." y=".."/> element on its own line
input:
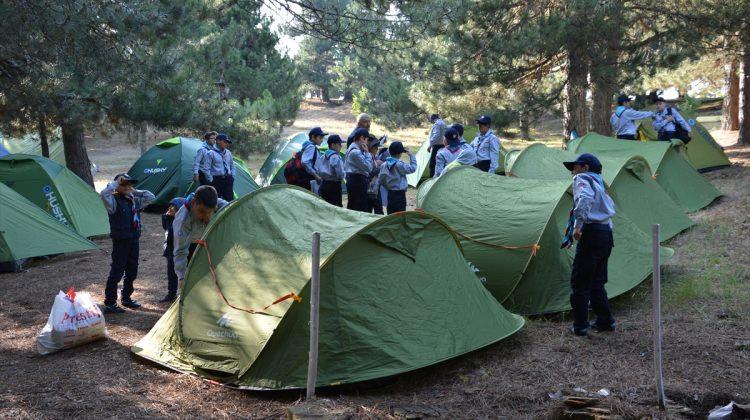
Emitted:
<point x="574" y="96"/>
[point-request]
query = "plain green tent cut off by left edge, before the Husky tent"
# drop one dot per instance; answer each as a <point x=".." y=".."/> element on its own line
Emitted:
<point x="27" y="231"/>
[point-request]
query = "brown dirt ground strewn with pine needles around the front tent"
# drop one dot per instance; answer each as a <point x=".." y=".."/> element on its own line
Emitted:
<point x="706" y="343"/>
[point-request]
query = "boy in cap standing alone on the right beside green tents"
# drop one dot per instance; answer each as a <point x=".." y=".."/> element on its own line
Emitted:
<point x="591" y="225"/>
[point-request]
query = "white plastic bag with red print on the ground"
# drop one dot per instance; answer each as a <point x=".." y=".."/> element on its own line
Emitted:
<point x="74" y="320"/>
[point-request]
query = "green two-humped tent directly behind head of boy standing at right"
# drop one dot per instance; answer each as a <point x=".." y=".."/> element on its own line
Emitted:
<point x="636" y="194"/>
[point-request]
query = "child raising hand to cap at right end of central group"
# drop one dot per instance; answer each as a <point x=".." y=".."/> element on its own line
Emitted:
<point x="393" y="176"/>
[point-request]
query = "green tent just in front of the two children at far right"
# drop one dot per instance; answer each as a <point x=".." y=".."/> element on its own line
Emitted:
<point x="676" y="176"/>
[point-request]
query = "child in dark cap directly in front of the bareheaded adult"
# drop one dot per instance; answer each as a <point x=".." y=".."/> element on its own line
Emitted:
<point x="358" y="164"/>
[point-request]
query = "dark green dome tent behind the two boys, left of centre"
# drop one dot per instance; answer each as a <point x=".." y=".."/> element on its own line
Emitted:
<point x="167" y="171"/>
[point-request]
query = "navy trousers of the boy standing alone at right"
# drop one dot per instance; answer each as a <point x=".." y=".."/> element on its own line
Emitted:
<point x="589" y="276"/>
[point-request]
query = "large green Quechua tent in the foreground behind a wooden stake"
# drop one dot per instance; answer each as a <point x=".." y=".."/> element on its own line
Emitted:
<point x="396" y="295"/>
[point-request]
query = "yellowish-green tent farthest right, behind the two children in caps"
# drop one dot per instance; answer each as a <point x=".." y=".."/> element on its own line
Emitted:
<point x="703" y="152"/>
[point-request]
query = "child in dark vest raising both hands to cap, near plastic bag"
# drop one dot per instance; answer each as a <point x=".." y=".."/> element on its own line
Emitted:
<point x="124" y="204"/>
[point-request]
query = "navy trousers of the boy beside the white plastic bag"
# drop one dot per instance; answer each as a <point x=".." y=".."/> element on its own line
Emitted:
<point x="124" y="262"/>
